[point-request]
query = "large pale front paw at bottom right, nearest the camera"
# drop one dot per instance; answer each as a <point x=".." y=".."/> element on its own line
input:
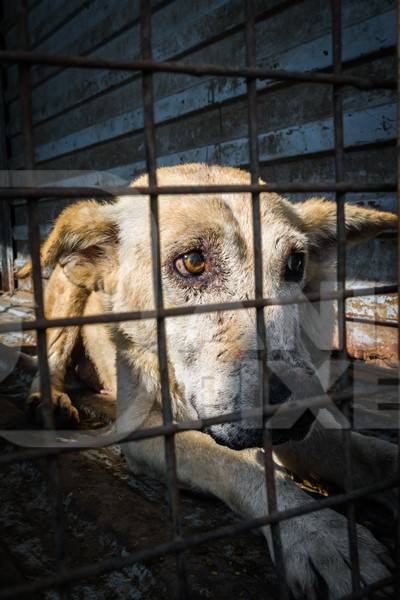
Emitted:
<point x="317" y="557"/>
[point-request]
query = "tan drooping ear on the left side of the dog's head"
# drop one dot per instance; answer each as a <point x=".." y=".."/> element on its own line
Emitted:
<point x="82" y="240"/>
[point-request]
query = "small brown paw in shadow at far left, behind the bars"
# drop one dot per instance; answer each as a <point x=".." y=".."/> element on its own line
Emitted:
<point x="65" y="414"/>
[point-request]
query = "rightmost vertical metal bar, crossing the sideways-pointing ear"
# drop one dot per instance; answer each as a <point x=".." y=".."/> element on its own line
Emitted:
<point x="341" y="275"/>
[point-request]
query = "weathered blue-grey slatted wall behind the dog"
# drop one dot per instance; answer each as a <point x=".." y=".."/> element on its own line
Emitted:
<point x="90" y="123"/>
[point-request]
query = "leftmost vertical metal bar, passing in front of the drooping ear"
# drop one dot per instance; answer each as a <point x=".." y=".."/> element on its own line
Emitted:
<point x="34" y="246"/>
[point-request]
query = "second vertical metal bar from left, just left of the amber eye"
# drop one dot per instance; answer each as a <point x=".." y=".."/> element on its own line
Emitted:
<point x="149" y="133"/>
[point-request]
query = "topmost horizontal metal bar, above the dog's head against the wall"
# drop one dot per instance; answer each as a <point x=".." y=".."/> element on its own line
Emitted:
<point x="198" y="70"/>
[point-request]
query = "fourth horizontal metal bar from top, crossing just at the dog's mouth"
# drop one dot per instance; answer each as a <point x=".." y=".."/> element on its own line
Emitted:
<point x="104" y="440"/>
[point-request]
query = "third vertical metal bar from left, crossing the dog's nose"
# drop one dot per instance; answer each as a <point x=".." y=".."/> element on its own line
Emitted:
<point x="263" y="371"/>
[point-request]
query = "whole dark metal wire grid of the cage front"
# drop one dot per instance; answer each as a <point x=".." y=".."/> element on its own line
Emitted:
<point x="147" y="66"/>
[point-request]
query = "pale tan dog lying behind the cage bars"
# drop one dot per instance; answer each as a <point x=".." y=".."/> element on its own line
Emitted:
<point x="100" y="254"/>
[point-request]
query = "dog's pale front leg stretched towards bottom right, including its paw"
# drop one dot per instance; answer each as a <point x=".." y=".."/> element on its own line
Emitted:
<point x="315" y="546"/>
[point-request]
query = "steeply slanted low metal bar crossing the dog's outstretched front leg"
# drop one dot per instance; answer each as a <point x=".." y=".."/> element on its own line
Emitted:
<point x="113" y="564"/>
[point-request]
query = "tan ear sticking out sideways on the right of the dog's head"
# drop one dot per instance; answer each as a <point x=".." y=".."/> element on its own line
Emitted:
<point x="319" y="221"/>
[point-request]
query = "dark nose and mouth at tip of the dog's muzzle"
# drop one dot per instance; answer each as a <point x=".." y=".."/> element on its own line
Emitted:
<point x="289" y="386"/>
